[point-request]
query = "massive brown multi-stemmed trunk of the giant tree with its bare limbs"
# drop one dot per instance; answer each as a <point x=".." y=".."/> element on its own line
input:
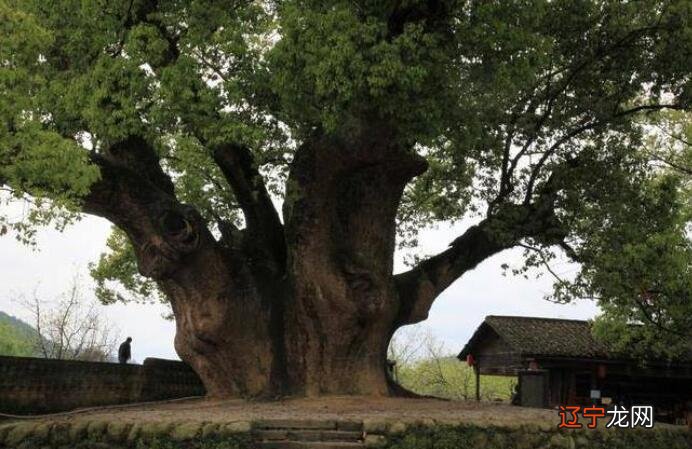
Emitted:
<point x="303" y="307"/>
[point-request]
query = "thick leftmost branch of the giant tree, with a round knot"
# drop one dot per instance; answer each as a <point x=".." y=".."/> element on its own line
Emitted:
<point x="137" y="196"/>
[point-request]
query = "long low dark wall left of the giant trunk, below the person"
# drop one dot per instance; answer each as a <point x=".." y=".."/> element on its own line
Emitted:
<point x="32" y="385"/>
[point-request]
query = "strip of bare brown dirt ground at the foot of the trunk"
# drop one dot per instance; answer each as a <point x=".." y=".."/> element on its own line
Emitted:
<point x="344" y="408"/>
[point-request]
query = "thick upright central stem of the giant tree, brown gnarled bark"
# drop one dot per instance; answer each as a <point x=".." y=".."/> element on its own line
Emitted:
<point x="340" y="231"/>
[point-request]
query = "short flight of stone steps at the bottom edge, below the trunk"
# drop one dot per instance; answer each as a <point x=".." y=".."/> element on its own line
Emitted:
<point x="308" y="434"/>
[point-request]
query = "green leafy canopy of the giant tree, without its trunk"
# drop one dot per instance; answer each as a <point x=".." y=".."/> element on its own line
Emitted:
<point x="508" y="101"/>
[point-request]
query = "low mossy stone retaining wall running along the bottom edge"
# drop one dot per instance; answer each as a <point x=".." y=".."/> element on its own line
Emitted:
<point x="90" y="434"/>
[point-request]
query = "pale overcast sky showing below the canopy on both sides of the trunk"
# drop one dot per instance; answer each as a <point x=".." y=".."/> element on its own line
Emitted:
<point x="453" y="318"/>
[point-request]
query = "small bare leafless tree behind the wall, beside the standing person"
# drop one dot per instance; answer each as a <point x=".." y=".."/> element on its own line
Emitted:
<point x="71" y="327"/>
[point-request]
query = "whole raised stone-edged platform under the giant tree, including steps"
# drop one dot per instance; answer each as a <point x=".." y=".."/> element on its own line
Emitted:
<point x="325" y="423"/>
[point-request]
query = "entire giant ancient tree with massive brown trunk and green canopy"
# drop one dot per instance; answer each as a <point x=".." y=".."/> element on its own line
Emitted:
<point x="260" y="161"/>
